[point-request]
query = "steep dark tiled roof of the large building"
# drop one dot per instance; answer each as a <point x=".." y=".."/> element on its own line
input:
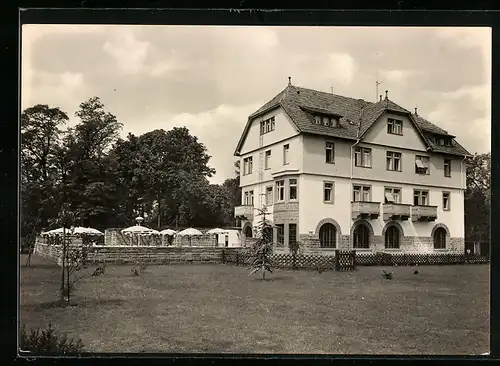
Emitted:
<point x="357" y="116"/>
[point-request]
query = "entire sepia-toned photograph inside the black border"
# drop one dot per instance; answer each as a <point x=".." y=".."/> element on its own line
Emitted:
<point x="189" y="189"/>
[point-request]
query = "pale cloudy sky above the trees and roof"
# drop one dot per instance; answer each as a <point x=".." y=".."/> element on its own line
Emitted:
<point x="210" y="79"/>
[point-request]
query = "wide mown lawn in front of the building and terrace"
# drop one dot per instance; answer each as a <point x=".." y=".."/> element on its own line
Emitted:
<point x="220" y="309"/>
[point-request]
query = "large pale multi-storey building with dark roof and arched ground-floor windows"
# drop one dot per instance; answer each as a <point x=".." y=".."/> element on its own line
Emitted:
<point x="344" y="173"/>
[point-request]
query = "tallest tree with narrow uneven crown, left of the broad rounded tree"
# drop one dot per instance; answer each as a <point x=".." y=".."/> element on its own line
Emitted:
<point x="88" y="172"/>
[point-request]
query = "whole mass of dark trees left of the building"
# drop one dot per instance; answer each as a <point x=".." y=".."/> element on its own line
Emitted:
<point x="106" y="181"/>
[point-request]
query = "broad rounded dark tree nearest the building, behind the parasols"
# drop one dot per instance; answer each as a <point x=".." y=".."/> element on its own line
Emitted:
<point x="165" y="173"/>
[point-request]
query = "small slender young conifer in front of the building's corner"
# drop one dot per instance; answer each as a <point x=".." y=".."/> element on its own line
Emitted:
<point x="260" y="259"/>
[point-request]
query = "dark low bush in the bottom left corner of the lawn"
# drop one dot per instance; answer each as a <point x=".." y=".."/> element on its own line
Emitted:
<point x="40" y="341"/>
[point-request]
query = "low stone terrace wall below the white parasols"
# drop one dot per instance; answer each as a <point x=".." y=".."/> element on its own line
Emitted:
<point x="149" y="254"/>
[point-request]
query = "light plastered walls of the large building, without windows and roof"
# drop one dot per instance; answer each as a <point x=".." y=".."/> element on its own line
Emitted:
<point x="306" y="162"/>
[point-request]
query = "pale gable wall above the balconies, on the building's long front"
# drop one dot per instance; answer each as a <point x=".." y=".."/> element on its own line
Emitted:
<point x="409" y="139"/>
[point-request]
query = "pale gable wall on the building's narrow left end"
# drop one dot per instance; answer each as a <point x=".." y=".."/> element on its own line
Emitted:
<point x="283" y="129"/>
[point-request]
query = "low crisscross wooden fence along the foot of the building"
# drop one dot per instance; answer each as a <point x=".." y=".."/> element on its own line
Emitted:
<point x="349" y="260"/>
